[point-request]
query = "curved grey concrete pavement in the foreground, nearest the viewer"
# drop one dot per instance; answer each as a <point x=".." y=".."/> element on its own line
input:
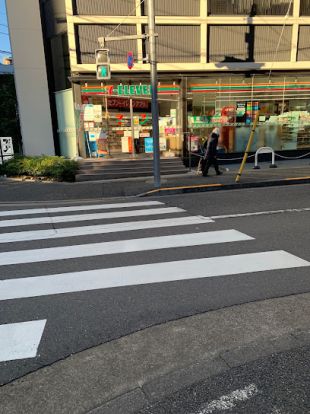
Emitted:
<point x="133" y="372"/>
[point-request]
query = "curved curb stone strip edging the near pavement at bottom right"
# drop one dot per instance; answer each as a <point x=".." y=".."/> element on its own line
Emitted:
<point x="150" y="393"/>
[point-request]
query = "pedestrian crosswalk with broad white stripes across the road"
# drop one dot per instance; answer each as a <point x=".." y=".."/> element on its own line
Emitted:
<point x="163" y="229"/>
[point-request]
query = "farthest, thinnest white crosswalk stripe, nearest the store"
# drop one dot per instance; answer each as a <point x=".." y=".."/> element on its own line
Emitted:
<point x="86" y="207"/>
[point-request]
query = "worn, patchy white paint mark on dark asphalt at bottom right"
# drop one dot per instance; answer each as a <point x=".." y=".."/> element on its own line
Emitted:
<point x="227" y="402"/>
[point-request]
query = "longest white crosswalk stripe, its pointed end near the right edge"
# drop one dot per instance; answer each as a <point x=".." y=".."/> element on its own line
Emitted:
<point x="149" y="273"/>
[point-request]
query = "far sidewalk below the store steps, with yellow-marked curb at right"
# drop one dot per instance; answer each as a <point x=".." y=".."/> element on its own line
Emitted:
<point x="288" y="172"/>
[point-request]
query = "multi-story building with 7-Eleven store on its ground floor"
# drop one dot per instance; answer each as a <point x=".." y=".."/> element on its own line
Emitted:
<point x="219" y="61"/>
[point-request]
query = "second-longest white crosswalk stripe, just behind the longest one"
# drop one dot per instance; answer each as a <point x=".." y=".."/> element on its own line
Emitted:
<point x="122" y="246"/>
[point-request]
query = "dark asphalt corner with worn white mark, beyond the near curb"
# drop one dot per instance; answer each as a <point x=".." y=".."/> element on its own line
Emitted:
<point x="275" y="385"/>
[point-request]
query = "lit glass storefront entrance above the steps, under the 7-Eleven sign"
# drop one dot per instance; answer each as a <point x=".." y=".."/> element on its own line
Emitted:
<point x="121" y="126"/>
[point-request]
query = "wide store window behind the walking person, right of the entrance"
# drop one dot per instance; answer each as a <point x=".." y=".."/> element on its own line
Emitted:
<point x="281" y="103"/>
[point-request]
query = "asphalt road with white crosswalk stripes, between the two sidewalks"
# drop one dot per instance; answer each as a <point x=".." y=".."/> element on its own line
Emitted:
<point x="74" y="275"/>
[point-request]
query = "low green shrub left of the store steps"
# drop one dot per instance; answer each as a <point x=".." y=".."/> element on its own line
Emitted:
<point x="57" y="168"/>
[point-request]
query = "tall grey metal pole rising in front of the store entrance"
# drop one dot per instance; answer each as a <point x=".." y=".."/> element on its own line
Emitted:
<point x="154" y="83"/>
